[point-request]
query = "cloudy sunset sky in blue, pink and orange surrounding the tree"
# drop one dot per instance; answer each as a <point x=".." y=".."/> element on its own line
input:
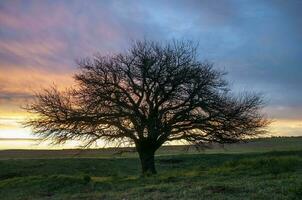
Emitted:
<point x="258" y="42"/>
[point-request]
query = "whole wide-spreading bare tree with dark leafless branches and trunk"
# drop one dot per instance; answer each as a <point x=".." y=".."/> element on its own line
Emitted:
<point x="150" y="95"/>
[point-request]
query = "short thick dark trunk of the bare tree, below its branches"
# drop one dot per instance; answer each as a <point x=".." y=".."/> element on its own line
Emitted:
<point x="147" y="161"/>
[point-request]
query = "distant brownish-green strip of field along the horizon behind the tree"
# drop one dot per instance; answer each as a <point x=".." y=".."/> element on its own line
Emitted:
<point x="255" y="145"/>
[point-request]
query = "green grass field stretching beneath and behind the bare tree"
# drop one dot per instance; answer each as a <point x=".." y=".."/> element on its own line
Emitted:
<point x="261" y="169"/>
